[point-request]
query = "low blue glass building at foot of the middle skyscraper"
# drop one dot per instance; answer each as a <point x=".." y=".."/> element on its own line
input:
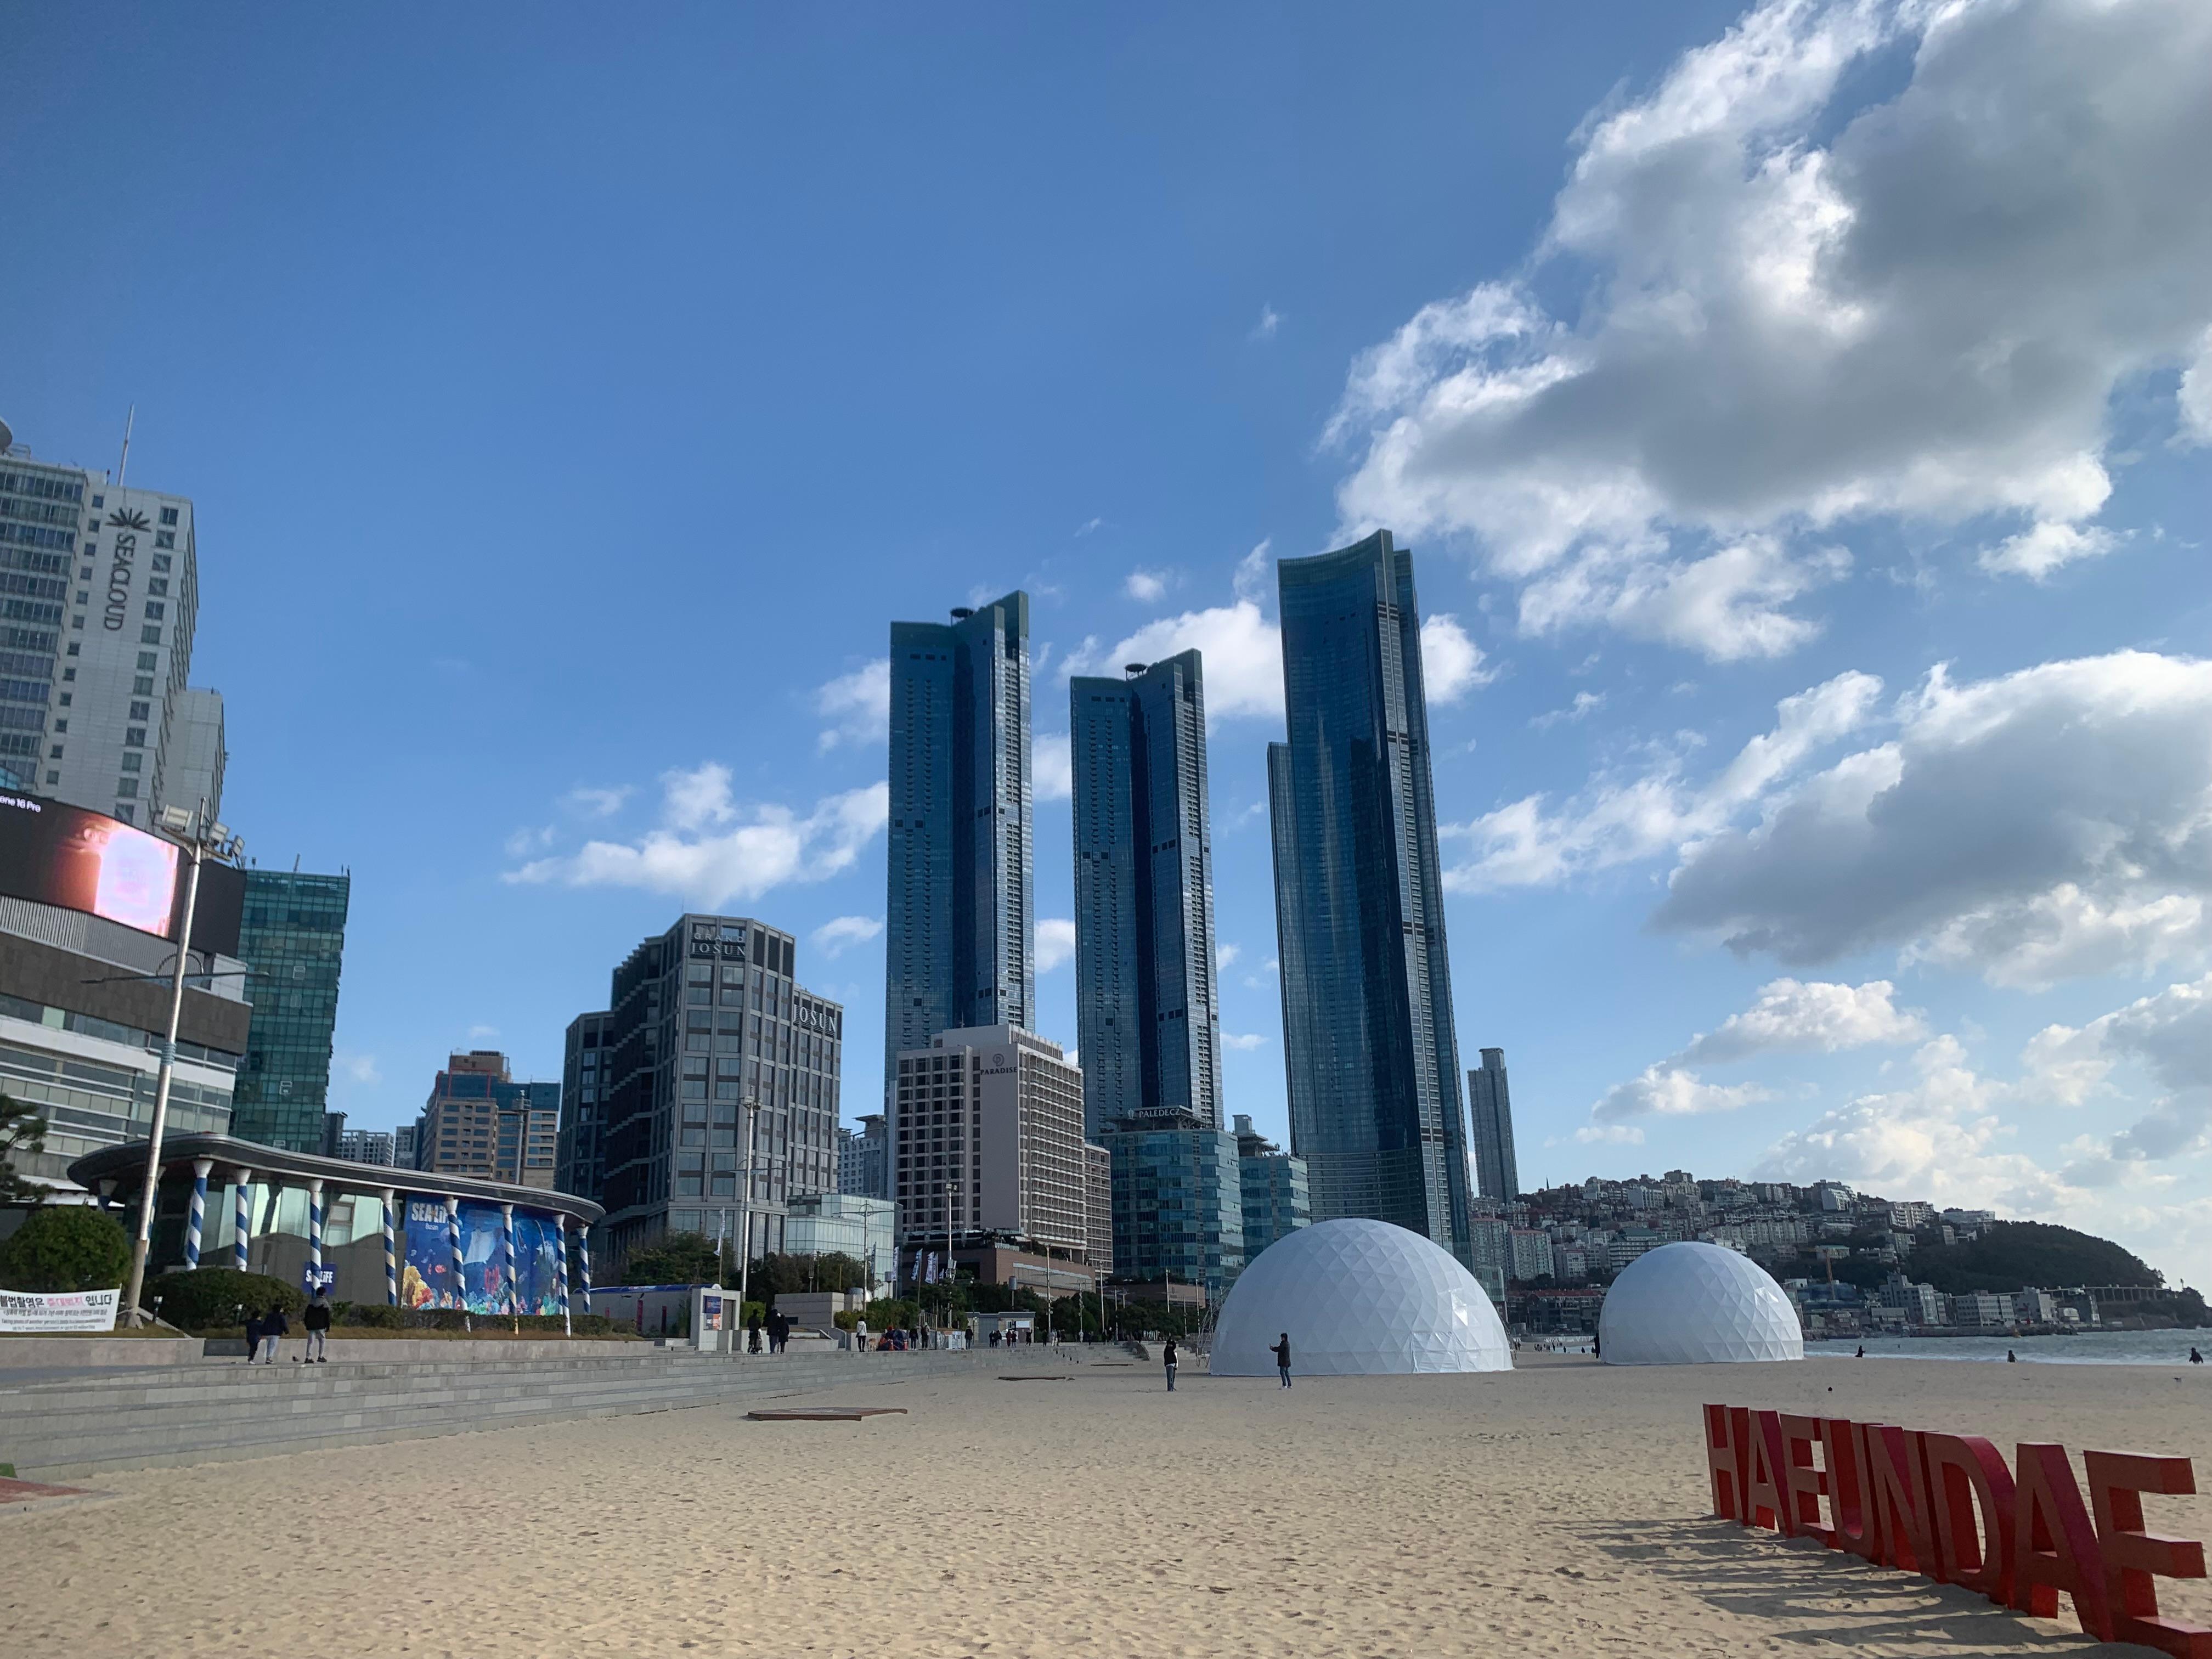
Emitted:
<point x="1178" y="1200"/>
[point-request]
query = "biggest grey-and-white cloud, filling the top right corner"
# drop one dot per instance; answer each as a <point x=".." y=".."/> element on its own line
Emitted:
<point x="1793" y="313"/>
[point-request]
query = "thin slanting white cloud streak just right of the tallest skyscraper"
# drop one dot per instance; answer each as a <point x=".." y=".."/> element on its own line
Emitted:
<point x="1623" y="820"/>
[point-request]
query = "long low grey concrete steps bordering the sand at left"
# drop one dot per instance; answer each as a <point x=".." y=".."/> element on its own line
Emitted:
<point x="211" y="1412"/>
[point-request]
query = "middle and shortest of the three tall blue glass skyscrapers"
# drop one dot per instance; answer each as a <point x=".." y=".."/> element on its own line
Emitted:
<point x="1149" y="1021"/>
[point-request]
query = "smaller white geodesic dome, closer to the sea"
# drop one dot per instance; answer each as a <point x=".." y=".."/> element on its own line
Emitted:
<point x="1695" y="1304"/>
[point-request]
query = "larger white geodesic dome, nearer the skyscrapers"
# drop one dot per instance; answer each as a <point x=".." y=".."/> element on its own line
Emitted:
<point x="1359" y="1300"/>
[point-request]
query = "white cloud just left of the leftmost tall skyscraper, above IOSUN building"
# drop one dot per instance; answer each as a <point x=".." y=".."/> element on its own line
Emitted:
<point x="711" y="851"/>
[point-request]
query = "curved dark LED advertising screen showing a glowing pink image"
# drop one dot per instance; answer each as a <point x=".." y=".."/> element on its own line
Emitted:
<point x="103" y="866"/>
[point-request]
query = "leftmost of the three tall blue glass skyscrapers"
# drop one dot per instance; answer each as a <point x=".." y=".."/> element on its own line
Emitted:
<point x="959" y="910"/>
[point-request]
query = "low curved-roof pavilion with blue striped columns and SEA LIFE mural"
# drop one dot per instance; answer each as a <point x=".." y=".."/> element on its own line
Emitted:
<point x="375" y="1233"/>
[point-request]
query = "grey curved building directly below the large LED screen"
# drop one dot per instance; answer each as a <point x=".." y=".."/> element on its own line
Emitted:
<point x="83" y="1014"/>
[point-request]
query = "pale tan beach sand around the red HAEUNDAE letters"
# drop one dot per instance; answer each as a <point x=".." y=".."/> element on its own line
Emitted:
<point x="1558" y="1510"/>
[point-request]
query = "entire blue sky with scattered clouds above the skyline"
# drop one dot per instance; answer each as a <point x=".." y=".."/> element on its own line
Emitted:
<point x="1797" y="415"/>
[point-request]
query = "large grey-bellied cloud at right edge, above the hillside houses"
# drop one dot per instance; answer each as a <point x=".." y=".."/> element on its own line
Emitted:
<point x="2036" y="826"/>
